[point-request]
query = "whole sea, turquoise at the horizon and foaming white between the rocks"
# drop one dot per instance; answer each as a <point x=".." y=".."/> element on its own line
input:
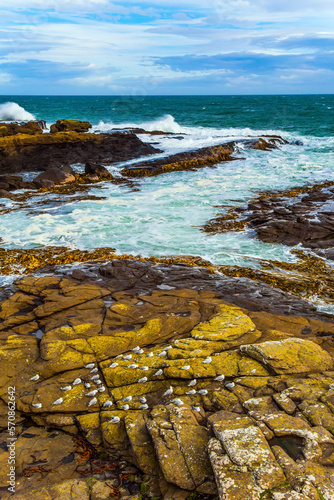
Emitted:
<point x="164" y="217"/>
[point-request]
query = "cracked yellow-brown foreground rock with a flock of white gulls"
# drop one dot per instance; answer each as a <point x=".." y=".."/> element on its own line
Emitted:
<point x="196" y="395"/>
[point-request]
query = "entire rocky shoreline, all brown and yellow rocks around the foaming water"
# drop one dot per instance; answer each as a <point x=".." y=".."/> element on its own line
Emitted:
<point x="164" y="378"/>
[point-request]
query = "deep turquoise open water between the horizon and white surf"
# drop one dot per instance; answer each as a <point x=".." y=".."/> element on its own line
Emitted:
<point x="305" y="115"/>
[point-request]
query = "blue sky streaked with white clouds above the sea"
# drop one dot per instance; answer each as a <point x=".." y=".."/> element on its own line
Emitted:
<point x="166" y="47"/>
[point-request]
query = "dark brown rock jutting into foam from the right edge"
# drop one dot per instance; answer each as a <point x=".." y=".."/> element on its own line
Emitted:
<point x="300" y="215"/>
